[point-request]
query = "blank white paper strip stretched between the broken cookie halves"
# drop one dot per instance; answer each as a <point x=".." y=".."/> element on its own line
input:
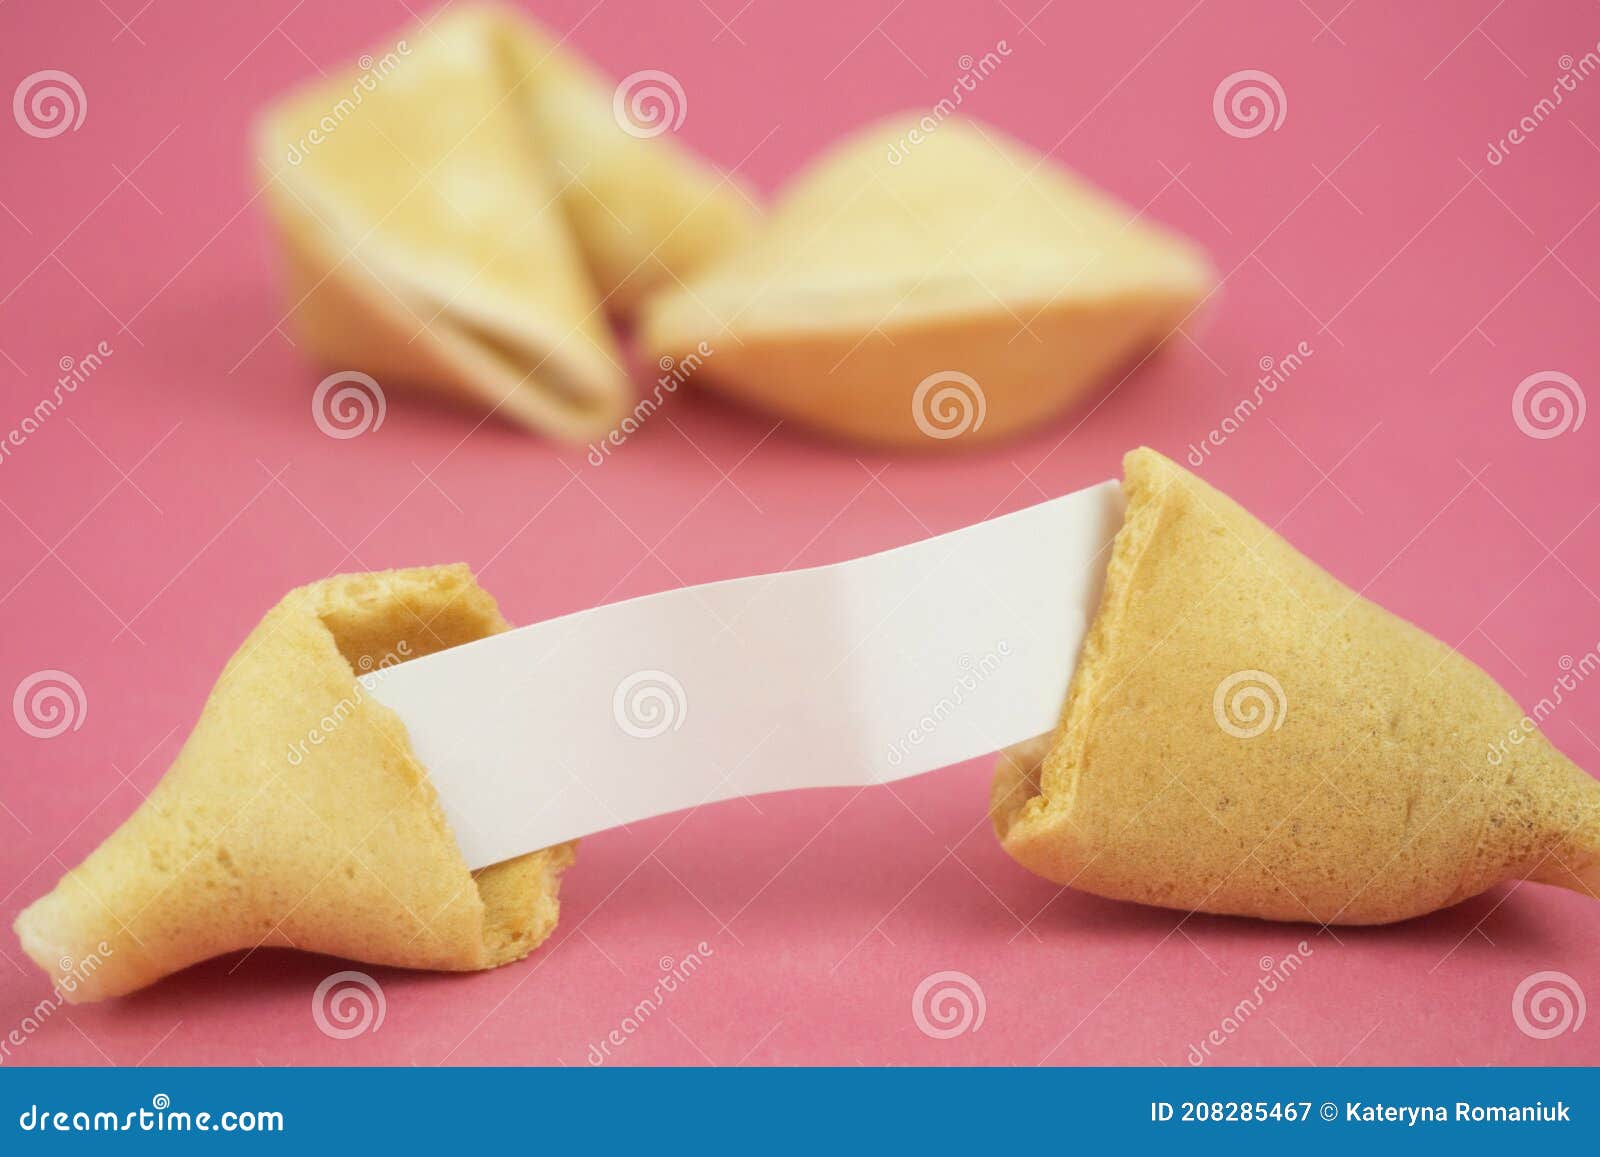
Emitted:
<point x="860" y="673"/>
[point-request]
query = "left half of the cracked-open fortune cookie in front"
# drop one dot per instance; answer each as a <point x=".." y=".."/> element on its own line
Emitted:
<point x="297" y="814"/>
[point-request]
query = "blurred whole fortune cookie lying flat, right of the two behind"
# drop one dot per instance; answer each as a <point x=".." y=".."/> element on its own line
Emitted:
<point x="932" y="289"/>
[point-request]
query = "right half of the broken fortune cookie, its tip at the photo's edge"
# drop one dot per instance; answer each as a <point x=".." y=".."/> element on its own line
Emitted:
<point x="1246" y="735"/>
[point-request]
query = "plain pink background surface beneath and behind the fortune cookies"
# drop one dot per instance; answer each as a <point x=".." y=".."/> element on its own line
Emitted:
<point x="186" y="487"/>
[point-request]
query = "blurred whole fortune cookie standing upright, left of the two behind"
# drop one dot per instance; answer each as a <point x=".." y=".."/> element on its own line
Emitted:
<point x="465" y="210"/>
